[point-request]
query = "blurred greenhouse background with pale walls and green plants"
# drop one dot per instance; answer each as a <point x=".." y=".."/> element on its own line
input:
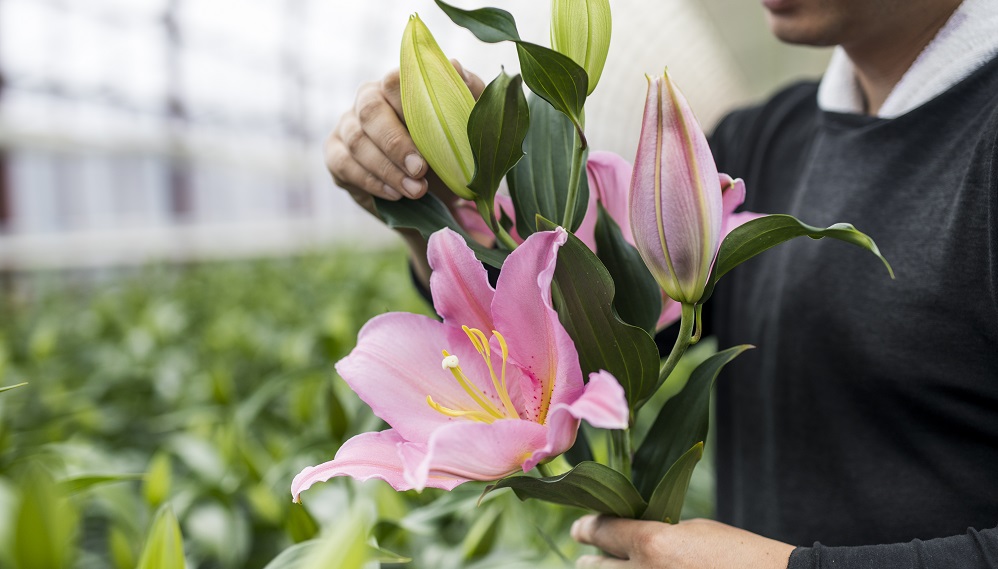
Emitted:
<point x="178" y="272"/>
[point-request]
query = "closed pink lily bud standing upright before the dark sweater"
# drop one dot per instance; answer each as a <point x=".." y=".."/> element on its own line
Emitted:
<point x="675" y="198"/>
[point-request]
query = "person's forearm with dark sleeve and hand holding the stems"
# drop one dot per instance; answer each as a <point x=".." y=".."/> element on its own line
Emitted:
<point x="703" y="544"/>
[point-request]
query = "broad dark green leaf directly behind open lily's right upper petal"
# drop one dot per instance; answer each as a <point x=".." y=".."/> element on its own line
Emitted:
<point x="585" y="293"/>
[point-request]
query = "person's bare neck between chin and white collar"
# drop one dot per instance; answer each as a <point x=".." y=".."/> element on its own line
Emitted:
<point x="881" y="62"/>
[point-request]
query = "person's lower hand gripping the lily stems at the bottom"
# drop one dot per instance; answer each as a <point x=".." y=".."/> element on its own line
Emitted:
<point x="693" y="544"/>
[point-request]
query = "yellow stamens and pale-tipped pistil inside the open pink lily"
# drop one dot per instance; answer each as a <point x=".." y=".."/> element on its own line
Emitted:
<point x="486" y="411"/>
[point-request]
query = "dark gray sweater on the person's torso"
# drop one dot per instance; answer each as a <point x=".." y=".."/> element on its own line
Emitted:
<point x="868" y="415"/>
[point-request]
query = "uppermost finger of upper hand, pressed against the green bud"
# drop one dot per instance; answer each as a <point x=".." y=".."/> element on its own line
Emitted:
<point x="380" y="123"/>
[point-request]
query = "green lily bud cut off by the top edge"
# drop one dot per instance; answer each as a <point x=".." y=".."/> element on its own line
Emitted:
<point x="580" y="29"/>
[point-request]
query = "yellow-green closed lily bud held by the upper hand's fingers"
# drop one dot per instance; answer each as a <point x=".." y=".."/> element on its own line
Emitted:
<point x="436" y="104"/>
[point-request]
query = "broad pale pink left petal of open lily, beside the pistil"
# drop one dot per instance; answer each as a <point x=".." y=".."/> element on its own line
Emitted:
<point x="396" y="364"/>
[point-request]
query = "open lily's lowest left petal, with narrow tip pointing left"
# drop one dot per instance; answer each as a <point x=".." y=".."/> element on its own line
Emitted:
<point x="367" y="456"/>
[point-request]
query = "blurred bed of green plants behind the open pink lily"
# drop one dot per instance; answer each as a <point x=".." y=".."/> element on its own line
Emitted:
<point x="185" y="398"/>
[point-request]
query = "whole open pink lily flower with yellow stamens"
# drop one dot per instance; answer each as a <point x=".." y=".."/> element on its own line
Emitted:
<point x="493" y="389"/>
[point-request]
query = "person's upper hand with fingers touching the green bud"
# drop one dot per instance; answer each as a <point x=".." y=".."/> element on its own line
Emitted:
<point x="370" y="153"/>
